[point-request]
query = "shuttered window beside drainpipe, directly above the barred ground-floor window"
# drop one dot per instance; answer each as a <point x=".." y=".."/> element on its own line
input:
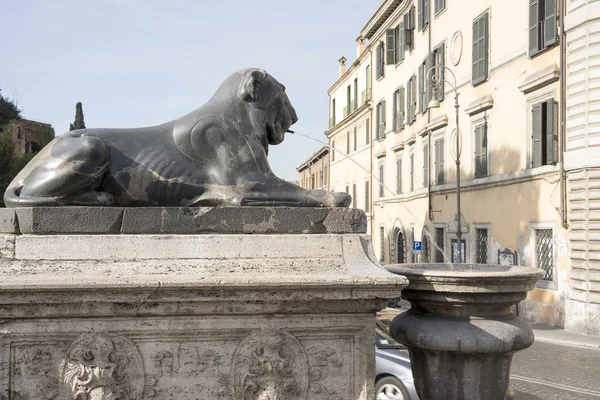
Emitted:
<point x="544" y="147"/>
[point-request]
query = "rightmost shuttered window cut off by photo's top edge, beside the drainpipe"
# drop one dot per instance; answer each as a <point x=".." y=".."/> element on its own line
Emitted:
<point x="542" y="25"/>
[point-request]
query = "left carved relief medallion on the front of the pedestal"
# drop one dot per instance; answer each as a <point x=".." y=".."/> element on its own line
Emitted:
<point x="102" y="367"/>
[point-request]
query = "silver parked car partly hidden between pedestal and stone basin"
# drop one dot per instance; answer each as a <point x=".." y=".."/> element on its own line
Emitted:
<point x="393" y="376"/>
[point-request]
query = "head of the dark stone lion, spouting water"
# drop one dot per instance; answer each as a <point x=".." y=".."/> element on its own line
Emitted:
<point x="264" y="92"/>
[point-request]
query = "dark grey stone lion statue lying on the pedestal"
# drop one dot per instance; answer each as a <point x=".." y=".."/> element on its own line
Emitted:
<point x="213" y="156"/>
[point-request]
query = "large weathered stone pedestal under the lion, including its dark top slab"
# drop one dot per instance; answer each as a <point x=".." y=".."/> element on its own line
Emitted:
<point x="188" y="304"/>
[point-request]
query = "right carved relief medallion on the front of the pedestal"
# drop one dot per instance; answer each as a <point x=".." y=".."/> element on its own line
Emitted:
<point x="270" y="365"/>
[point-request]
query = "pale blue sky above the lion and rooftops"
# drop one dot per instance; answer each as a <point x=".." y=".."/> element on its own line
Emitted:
<point x="135" y="63"/>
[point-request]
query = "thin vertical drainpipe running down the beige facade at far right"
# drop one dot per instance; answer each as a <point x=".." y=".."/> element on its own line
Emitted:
<point x="563" y="115"/>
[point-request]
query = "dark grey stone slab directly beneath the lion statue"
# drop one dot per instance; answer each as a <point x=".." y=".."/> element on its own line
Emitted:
<point x="182" y="220"/>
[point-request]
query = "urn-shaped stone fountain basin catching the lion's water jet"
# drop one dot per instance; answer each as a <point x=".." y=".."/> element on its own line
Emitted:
<point x="460" y="331"/>
